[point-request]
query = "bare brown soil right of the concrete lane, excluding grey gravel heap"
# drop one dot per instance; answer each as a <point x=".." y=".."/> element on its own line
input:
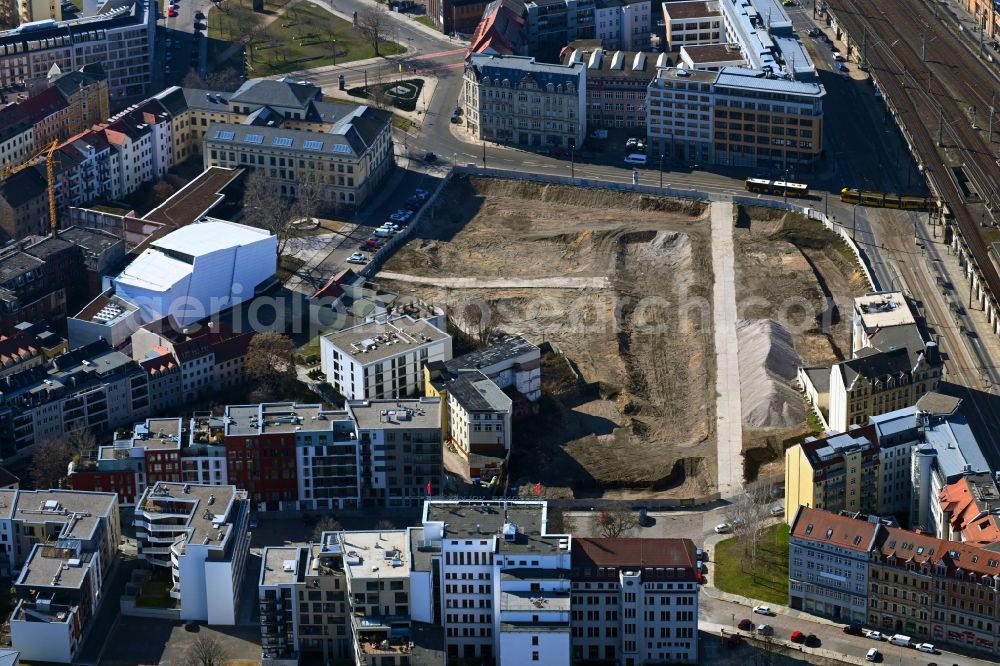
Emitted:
<point x="798" y="273"/>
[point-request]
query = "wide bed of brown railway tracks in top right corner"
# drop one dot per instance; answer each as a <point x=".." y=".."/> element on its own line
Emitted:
<point x="933" y="98"/>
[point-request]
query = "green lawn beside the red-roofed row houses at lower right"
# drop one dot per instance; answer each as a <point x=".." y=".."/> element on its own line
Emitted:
<point x="768" y="581"/>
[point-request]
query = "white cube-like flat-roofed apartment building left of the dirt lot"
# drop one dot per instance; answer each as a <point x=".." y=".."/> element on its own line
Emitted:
<point x="383" y="358"/>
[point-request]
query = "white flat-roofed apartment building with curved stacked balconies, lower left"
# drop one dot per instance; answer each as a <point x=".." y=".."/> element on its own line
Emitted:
<point x="199" y="533"/>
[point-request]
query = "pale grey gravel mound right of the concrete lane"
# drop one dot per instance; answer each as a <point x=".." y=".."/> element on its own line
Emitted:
<point x="768" y="363"/>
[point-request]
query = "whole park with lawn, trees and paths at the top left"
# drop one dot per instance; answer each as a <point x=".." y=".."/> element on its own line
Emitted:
<point x="287" y="37"/>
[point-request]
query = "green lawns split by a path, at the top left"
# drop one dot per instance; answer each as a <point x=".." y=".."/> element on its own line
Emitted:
<point x="300" y="38"/>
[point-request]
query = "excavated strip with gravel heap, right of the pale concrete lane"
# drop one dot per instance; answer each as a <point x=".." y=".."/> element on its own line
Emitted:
<point x="795" y="285"/>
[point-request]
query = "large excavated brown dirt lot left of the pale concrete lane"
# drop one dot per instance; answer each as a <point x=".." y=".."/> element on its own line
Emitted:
<point x="633" y="409"/>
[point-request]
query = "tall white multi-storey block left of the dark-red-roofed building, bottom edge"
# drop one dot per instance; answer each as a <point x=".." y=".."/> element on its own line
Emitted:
<point x="504" y="587"/>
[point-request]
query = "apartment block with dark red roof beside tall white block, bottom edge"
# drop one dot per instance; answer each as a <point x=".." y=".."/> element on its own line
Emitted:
<point x="635" y="601"/>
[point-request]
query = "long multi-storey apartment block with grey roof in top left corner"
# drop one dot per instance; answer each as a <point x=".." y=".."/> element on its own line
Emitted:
<point x="120" y="37"/>
